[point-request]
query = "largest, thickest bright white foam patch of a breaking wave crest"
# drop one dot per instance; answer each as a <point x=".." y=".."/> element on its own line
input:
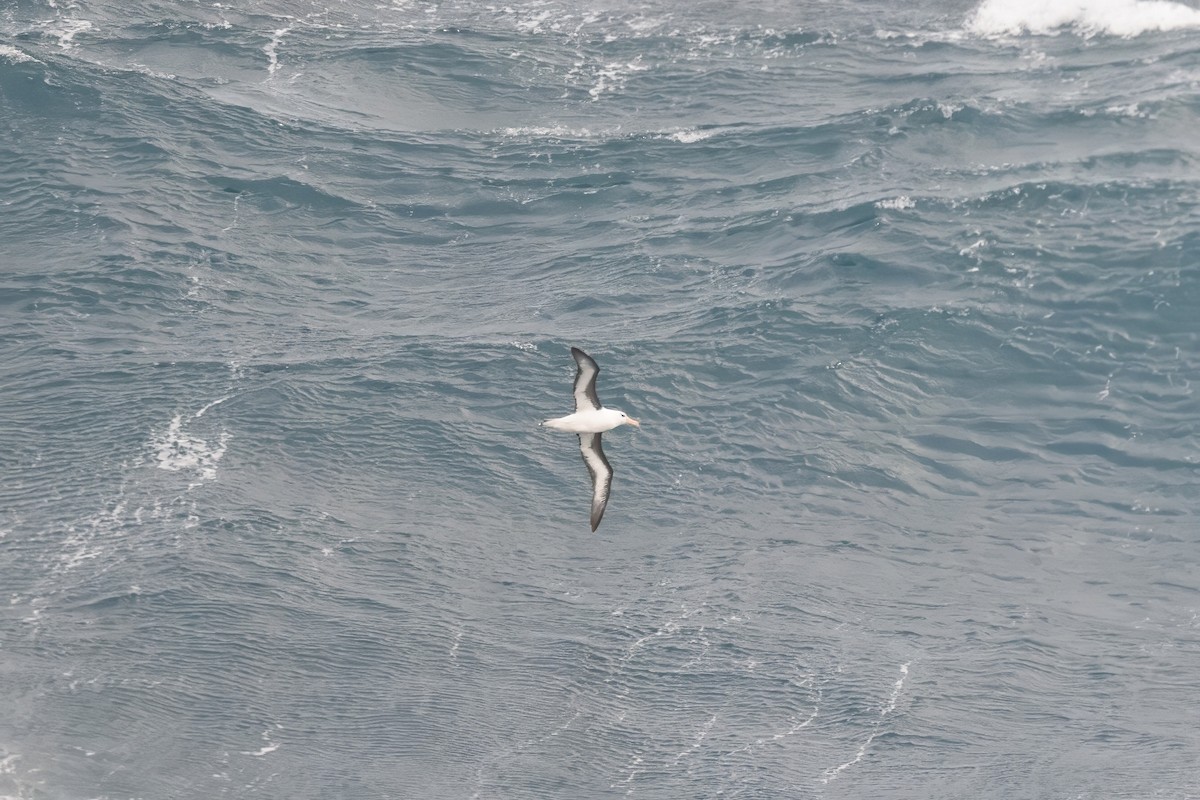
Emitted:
<point x="1089" y="17"/>
